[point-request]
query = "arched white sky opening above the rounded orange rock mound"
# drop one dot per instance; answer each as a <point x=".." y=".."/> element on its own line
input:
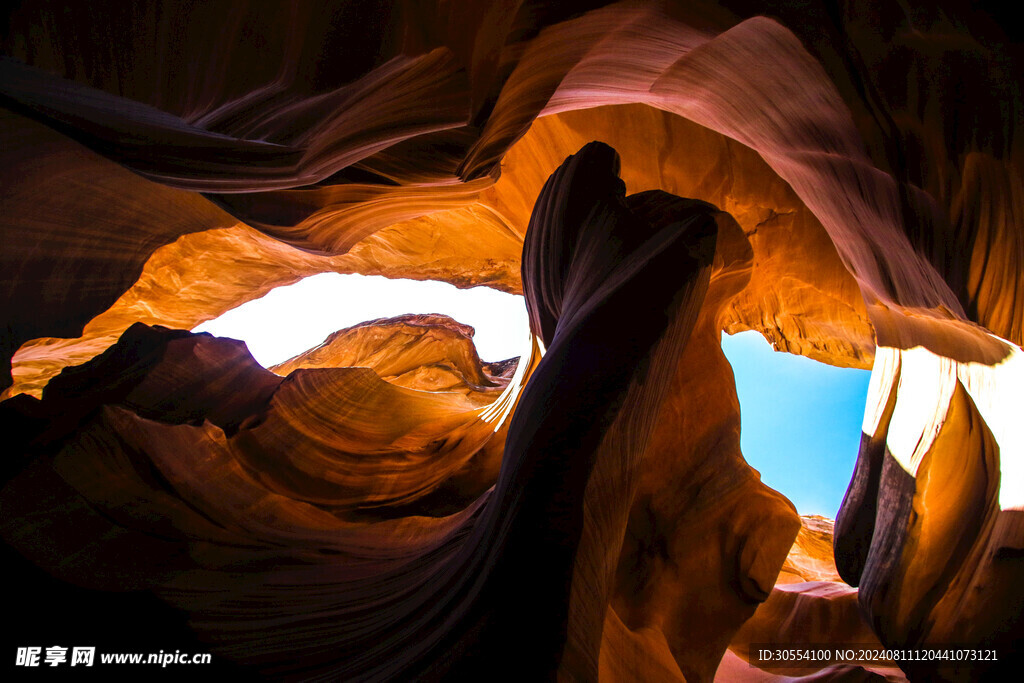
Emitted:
<point x="291" y="320"/>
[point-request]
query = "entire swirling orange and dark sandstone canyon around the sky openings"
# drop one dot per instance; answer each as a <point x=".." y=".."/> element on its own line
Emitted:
<point x="388" y="506"/>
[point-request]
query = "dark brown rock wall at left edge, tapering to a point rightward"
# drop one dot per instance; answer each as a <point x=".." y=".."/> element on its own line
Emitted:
<point x="78" y="231"/>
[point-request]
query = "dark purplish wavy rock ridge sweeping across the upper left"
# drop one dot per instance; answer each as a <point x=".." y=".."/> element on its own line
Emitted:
<point x="281" y="145"/>
